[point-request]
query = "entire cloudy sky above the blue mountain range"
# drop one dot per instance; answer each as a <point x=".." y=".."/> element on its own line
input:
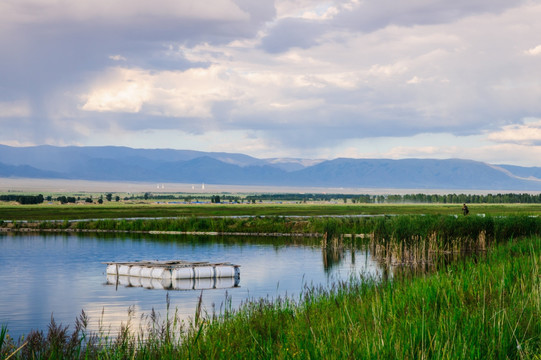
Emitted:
<point x="284" y="78"/>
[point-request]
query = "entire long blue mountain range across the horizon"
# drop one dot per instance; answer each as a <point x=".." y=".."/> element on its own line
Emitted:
<point x="112" y="163"/>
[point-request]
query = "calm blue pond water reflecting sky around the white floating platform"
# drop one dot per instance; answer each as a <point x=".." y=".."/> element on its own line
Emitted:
<point x="59" y="275"/>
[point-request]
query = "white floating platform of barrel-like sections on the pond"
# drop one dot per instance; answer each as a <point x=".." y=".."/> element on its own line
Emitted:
<point x="173" y="270"/>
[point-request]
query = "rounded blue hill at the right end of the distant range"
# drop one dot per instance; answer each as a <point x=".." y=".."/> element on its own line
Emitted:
<point x="412" y="174"/>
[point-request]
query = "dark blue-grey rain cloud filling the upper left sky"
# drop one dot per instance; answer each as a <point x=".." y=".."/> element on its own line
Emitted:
<point x="48" y="50"/>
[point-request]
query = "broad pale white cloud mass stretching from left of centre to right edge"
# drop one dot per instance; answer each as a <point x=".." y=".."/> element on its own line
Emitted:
<point x="436" y="78"/>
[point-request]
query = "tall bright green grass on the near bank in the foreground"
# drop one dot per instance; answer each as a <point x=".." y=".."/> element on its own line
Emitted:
<point x="483" y="308"/>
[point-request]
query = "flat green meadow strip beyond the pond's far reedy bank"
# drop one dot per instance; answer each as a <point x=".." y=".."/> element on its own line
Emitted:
<point x="121" y="210"/>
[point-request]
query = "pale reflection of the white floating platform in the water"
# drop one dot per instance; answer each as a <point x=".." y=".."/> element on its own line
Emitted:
<point x="173" y="284"/>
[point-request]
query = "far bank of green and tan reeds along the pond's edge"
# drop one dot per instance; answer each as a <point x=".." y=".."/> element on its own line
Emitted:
<point x="394" y="240"/>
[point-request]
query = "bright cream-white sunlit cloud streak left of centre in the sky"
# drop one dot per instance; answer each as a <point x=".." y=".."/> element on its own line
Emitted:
<point x="193" y="92"/>
